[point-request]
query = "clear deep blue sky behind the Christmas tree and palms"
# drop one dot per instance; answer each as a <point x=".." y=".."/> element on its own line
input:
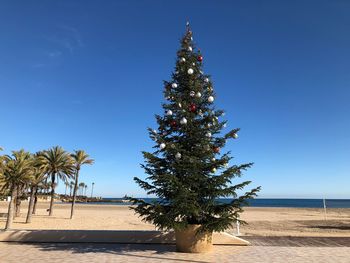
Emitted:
<point x="88" y="75"/>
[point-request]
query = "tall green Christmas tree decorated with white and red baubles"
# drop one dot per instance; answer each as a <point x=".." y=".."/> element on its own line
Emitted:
<point x="188" y="171"/>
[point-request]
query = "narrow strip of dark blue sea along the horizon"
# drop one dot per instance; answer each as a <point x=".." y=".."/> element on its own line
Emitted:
<point x="262" y="202"/>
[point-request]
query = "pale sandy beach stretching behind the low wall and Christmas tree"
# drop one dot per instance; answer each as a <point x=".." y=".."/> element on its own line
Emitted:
<point x="261" y="221"/>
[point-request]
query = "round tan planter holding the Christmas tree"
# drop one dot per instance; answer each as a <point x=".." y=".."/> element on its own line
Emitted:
<point x="188" y="241"/>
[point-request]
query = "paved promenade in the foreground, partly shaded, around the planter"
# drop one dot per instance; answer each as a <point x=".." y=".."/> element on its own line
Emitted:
<point x="268" y="250"/>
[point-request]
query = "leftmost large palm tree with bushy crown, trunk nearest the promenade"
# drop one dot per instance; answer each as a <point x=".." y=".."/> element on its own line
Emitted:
<point x="16" y="172"/>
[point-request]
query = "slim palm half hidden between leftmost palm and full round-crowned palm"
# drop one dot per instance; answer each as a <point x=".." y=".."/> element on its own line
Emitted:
<point x="39" y="172"/>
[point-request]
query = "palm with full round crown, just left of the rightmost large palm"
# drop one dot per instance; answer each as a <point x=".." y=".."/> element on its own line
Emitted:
<point x="58" y="163"/>
